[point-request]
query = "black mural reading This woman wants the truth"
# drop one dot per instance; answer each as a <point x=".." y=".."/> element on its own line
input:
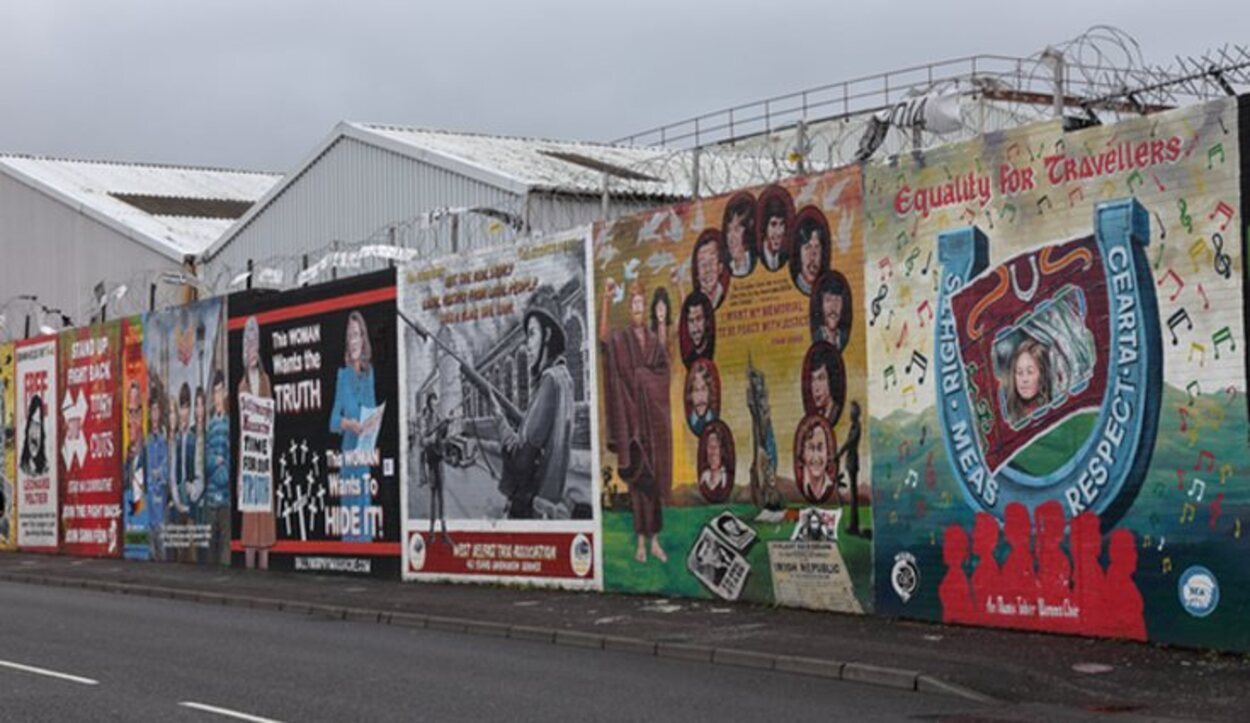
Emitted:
<point x="314" y="386"/>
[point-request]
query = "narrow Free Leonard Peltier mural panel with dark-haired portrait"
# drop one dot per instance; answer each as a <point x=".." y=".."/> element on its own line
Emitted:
<point x="37" y="423"/>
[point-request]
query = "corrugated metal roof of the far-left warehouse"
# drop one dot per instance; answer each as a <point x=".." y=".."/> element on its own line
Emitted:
<point x="94" y="188"/>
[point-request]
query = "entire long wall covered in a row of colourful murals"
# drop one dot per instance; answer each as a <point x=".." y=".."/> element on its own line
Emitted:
<point x="1001" y="383"/>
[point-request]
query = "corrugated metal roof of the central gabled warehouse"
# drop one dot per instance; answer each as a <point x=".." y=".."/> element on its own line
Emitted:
<point x="557" y="166"/>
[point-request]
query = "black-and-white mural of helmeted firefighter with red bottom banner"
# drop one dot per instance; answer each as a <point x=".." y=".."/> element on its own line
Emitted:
<point x="499" y="458"/>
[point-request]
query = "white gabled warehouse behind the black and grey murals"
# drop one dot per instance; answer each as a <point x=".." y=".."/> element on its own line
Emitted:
<point x="437" y="192"/>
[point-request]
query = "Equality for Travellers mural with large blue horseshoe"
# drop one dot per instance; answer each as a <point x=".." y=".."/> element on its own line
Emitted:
<point x="1057" y="360"/>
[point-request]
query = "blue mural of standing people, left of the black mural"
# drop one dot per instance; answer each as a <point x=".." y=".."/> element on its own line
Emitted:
<point x="187" y="457"/>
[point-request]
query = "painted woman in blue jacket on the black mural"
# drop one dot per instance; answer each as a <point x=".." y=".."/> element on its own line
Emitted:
<point x="354" y="398"/>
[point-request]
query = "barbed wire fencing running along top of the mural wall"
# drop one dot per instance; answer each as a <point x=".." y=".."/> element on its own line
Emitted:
<point x="1101" y="77"/>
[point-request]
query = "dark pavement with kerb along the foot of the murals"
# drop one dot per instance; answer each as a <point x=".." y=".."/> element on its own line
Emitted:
<point x="1016" y="669"/>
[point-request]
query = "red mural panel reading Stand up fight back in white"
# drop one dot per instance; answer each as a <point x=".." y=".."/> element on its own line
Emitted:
<point x="91" y="441"/>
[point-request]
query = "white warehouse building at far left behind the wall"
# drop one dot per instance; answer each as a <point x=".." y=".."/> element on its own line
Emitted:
<point x="73" y="232"/>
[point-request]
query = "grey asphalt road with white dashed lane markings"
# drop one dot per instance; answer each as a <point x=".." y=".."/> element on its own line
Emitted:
<point x="148" y="659"/>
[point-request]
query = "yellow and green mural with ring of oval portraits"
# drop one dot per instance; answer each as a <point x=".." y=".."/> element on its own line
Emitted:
<point x="732" y="376"/>
